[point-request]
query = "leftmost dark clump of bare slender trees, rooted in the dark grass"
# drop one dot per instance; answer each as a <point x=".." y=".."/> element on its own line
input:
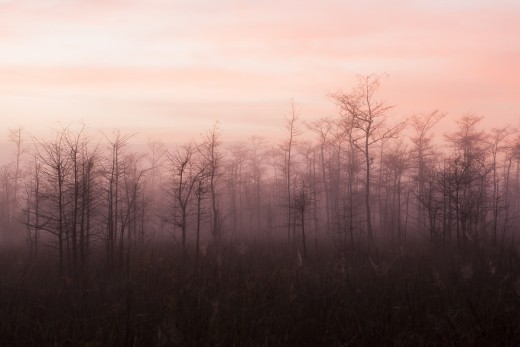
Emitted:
<point x="62" y="195"/>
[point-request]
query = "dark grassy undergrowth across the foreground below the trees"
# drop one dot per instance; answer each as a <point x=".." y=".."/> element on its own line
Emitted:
<point x="265" y="295"/>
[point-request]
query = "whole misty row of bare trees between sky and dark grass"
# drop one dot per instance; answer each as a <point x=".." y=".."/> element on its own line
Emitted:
<point x="359" y="177"/>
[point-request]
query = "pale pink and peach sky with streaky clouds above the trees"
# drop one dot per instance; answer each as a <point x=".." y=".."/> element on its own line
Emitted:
<point x="169" y="69"/>
